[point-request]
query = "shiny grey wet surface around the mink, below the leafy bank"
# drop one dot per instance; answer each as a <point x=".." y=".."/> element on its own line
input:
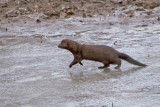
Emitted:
<point x="34" y="71"/>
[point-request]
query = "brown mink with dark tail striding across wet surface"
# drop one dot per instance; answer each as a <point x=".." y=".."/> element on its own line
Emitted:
<point x="100" y="53"/>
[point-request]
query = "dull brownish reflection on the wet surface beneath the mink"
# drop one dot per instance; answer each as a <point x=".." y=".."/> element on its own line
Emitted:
<point x="104" y="75"/>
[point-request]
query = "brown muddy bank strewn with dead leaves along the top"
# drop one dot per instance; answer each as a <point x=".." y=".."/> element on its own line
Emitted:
<point x="50" y="9"/>
